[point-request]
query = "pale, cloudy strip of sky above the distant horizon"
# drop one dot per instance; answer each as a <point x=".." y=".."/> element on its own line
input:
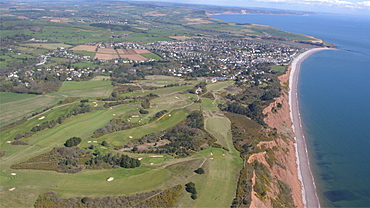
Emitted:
<point x="332" y="6"/>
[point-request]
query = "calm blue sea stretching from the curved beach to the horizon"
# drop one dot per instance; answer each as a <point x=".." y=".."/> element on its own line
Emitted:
<point x="334" y="99"/>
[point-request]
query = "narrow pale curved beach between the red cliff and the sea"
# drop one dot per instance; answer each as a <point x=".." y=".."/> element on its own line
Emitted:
<point x="305" y="175"/>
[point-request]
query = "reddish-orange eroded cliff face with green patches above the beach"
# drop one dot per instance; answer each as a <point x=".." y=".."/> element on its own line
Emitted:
<point x="279" y="157"/>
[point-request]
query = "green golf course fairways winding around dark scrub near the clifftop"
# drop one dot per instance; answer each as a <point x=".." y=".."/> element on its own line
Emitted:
<point x="156" y="171"/>
